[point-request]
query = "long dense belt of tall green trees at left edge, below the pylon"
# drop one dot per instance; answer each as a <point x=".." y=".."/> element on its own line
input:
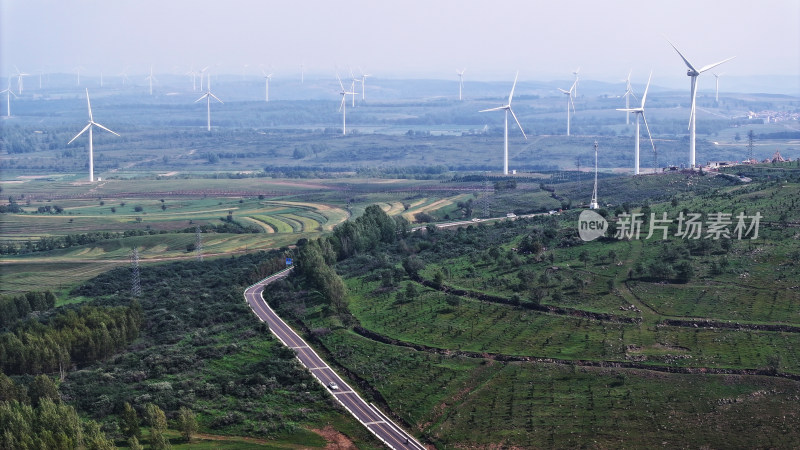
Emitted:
<point x="71" y="337"/>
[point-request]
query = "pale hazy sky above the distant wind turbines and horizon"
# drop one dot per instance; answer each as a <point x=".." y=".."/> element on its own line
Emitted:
<point x="402" y="38"/>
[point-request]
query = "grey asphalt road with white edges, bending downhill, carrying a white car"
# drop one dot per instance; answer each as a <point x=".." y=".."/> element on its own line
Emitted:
<point x="375" y="421"/>
